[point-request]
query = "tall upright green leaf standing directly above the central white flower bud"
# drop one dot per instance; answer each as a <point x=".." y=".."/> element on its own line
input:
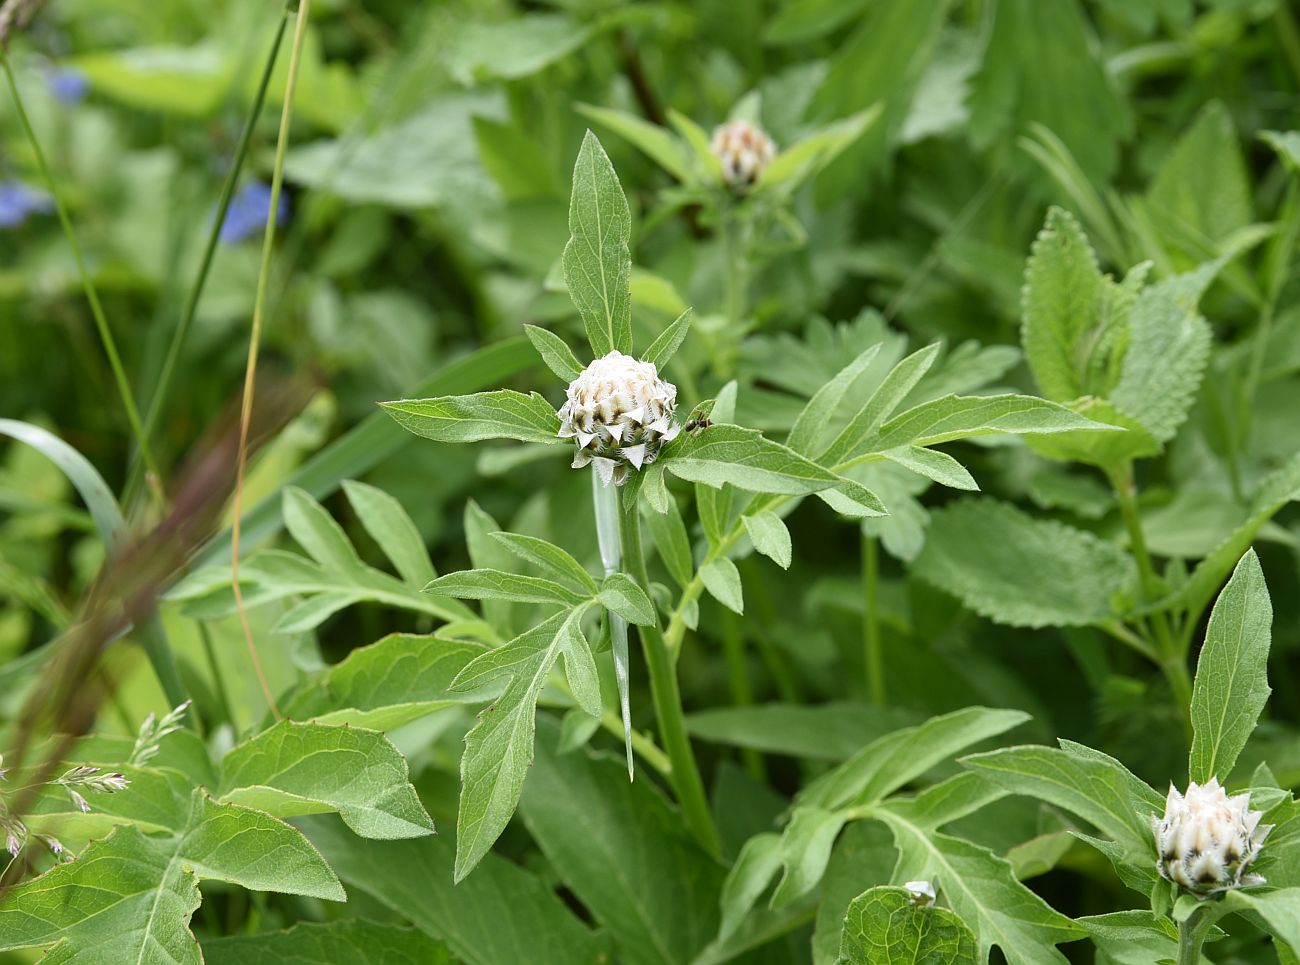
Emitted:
<point x="597" y="261"/>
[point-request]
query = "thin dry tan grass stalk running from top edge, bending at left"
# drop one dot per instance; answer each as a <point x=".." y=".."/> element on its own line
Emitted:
<point x="278" y="180"/>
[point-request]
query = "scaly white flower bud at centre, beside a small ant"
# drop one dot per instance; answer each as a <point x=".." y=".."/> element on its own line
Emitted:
<point x="619" y="414"/>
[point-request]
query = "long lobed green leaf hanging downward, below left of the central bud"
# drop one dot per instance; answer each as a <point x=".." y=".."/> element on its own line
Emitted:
<point x="500" y="747"/>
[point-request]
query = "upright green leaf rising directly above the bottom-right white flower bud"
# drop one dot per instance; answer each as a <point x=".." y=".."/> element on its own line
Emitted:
<point x="1232" y="673"/>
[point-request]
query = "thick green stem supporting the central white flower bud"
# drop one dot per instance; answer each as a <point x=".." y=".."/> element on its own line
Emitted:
<point x="668" y="702"/>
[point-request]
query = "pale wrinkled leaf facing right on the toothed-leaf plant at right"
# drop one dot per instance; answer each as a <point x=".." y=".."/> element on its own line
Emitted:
<point x="1169" y="344"/>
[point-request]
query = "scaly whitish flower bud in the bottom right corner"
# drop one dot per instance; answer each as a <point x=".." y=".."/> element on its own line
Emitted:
<point x="1207" y="839"/>
